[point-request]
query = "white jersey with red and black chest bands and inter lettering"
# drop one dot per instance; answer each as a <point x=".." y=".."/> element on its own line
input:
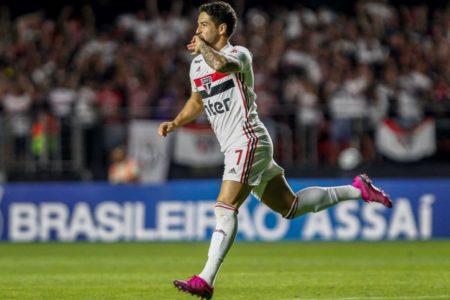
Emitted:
<point x="229" y="101"/>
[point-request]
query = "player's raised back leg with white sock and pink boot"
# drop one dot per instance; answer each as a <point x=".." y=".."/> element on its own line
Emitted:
<point x="279" y="196"/>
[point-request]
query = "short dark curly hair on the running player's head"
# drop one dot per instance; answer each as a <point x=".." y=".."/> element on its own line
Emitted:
<point x="221" y="12"/>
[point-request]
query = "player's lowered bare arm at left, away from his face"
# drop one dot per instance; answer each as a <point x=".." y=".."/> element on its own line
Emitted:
<point x="190" y="111"/>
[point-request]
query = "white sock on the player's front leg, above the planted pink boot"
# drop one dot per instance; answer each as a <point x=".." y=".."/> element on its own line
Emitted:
<point x="221" y="240"/>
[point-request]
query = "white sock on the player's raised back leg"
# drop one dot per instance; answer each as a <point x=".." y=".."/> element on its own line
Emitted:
<point x="314" y="199"/>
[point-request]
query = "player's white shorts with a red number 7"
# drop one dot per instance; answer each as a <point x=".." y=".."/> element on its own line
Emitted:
<point x="254" y="168"/>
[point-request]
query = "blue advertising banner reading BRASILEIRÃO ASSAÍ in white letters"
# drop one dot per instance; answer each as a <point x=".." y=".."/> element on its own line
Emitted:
<point x="184" y="211"/>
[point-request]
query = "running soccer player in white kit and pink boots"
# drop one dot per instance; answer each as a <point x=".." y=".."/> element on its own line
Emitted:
<point x="222" y="86"/>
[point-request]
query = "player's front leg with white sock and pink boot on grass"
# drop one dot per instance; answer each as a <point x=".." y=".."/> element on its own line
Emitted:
<point x="232" y="195"/>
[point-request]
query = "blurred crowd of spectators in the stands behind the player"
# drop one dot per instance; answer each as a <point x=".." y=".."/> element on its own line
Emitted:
<point x="321" y="72"/>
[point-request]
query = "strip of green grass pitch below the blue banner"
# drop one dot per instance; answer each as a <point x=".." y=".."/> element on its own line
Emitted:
<point x="341" y="271"/>
